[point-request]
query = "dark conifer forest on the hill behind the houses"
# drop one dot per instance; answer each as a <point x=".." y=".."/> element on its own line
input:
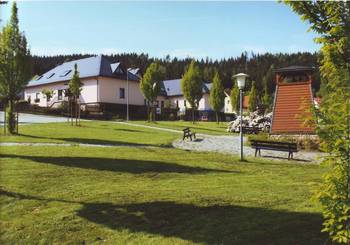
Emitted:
<point x="256" y="65"/>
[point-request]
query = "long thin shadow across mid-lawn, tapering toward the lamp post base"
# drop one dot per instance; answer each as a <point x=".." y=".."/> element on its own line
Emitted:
<point x="117" y="165"/>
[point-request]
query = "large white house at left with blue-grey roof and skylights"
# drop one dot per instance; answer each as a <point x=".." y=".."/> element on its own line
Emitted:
<point x="103" y="83"/>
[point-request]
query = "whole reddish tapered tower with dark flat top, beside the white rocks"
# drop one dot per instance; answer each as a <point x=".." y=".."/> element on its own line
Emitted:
<point x="293" y="98"/>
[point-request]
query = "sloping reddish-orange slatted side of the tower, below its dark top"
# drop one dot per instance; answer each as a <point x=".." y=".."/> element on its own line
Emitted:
<point x="289" y="108"/>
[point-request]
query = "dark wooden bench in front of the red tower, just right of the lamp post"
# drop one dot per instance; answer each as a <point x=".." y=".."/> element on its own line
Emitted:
<point x="274" y="146"/>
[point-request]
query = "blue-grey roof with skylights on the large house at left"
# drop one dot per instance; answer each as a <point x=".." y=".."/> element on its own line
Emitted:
<point x="87" y="67"/>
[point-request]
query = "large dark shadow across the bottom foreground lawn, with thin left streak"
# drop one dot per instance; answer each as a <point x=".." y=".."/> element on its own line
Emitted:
<point x="210" y="224"/>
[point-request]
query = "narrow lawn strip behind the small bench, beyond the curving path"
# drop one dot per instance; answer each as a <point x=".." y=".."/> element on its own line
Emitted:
<point x="200" y="127"/>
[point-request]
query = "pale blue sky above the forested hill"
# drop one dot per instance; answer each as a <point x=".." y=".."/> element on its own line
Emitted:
<point x="180" y="29"/>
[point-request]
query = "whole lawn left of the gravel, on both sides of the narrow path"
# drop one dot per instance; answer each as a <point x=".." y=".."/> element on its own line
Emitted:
<point x="148" y="195"/>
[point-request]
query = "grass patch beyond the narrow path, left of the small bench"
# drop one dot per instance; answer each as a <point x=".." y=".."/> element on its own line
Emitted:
<point x="91" y="132"/>
